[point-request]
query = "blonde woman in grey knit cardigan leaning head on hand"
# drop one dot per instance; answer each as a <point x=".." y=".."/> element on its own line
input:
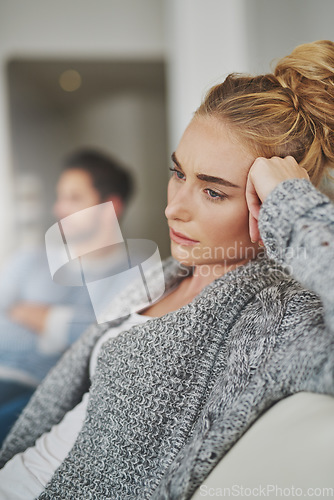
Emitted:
<point x="233" y="334"/>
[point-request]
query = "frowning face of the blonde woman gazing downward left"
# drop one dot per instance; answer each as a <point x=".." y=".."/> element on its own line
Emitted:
<point x="207" y="211"/>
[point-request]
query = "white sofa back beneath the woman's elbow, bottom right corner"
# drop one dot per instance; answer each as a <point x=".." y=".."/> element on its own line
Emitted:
<point x="287" y="452"/>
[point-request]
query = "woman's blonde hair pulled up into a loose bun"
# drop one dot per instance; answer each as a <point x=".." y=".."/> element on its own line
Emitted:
<point x="287" y="112"/>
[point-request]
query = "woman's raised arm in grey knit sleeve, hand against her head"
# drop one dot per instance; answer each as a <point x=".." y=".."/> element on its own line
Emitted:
<point x="296" y="224"/>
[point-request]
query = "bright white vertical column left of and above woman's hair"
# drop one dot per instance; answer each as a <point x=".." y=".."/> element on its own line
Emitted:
<point x="206" y="40"/>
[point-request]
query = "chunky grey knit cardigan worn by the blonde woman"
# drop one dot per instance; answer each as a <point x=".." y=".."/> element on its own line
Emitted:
<point x="170" y="397"/>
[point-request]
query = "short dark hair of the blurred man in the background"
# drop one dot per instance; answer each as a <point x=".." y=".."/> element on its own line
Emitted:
<point x="108" y="175"/>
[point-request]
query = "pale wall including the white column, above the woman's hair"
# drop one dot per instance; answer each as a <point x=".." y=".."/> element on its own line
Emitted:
<point x="207" y="39"/>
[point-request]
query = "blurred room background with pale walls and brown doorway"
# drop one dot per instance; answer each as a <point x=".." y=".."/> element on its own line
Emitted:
<point x="123" y="76"/>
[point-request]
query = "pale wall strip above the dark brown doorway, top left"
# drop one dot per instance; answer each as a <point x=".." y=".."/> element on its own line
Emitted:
<point x="81" y="27"/>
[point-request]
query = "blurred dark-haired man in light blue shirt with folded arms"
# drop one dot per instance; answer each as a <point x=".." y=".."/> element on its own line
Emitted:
<point x="39" y="318"/>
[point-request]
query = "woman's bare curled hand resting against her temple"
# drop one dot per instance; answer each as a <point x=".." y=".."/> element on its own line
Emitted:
<point x="264" y="175"/>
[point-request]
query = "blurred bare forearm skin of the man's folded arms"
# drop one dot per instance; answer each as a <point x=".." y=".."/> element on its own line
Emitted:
<point x="32" y="316"/>
